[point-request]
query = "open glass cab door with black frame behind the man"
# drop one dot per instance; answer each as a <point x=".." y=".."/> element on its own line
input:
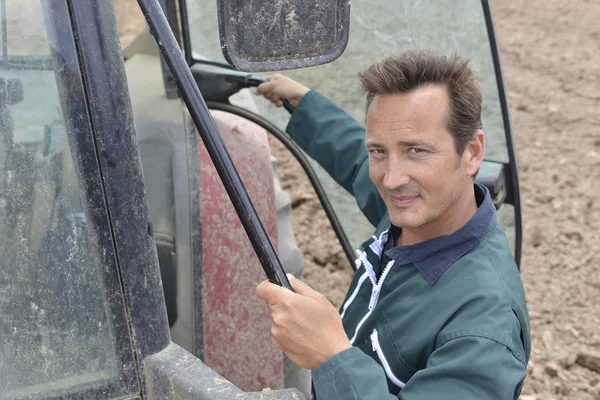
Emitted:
<point x="379" y="29"/>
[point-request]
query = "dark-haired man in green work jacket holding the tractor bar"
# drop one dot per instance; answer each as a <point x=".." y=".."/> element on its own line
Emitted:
<point x="436" y="309"/>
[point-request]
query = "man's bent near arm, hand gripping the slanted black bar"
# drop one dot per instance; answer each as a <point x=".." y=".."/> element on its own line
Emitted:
<point x="465" y="365"/>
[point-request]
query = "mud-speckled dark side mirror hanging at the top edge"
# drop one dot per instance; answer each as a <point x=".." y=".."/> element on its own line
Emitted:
<point x="267" y="35"/>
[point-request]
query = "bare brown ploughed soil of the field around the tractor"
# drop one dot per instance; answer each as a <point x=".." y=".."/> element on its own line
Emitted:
<point x="551" y="55"/>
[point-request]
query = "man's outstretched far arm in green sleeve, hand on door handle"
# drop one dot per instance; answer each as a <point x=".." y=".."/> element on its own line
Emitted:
<point x="331" y="137"/>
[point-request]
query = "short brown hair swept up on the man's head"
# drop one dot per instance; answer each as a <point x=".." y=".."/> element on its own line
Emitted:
<point x="405" y="72"/>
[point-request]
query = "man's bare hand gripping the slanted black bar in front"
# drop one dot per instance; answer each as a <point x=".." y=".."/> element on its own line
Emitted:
<point x="306" y="326"/>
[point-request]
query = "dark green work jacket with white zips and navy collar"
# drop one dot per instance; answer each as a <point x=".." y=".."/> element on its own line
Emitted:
<point x="443" y="319"/>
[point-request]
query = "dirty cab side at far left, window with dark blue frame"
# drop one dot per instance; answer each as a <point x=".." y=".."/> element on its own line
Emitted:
<point x="82" y="306"/>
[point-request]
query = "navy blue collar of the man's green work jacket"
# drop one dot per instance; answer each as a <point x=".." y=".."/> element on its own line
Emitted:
<point x="433" y="257"/>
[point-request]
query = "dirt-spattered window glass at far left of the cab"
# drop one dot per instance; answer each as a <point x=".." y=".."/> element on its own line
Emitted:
<point x="57" y="329"/>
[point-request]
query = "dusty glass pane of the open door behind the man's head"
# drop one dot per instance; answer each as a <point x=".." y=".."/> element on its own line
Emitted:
<point x="379" y="29"/>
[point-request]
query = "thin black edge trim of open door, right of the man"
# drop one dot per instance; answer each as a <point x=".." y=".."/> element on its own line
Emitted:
<point x="513" y="194"/>
